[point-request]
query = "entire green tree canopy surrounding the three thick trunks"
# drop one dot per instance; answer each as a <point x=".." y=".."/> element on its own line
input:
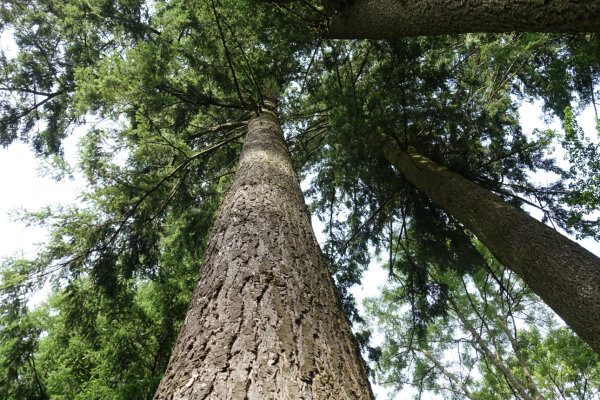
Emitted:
<point x="171" y="87"/>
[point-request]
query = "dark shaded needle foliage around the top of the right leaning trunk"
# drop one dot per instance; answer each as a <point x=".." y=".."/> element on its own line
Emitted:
<point x="439" y="95"/>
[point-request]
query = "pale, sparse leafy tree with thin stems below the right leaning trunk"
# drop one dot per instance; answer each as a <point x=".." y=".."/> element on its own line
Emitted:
<point x="498" y="340"/>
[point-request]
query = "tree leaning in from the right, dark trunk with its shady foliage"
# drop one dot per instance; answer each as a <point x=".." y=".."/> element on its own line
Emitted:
<point x="488" y="149"/>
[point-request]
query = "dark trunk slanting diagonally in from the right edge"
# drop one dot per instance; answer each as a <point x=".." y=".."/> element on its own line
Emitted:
<point x="564" y="274"/>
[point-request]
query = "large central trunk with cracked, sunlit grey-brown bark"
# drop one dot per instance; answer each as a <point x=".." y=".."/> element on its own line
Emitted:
<point x="265" y="321"/>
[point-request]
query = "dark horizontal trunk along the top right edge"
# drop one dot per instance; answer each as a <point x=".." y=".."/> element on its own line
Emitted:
<point x="391" y="19"/>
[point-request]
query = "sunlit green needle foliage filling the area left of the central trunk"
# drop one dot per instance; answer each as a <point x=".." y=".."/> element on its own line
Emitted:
<point x="165" y="99"/>
